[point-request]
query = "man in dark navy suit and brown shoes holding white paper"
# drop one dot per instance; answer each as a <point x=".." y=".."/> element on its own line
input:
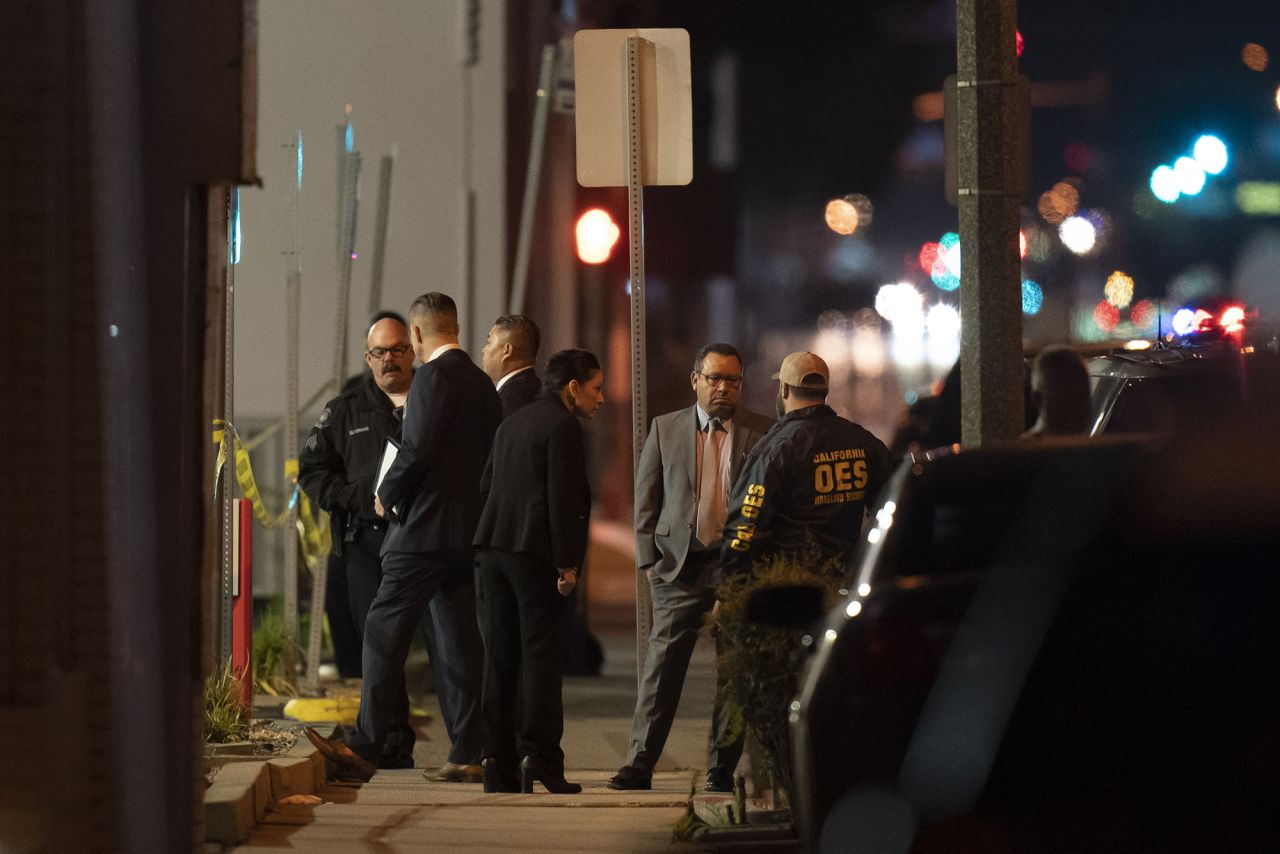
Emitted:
<point x="432" y="497"/>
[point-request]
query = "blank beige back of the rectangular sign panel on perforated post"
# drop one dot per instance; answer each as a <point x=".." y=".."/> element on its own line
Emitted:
<point x="668" y="113"/>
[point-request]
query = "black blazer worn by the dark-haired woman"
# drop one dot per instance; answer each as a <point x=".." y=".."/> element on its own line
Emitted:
<point x="537" y="496"/>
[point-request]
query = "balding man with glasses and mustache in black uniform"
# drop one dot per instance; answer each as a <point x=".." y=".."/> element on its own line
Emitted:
<point x="340" y="462"/>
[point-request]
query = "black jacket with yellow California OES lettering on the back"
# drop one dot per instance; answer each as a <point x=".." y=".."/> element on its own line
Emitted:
<point x="812" y="477"/>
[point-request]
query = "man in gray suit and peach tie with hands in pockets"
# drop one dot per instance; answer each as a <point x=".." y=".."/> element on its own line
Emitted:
<point x="689" y="463"/>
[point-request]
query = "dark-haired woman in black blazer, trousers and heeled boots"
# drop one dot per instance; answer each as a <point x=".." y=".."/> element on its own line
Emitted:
<point x="529" y="549"/>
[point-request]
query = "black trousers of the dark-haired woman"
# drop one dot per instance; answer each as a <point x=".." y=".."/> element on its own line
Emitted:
<point x="523" y="624"/>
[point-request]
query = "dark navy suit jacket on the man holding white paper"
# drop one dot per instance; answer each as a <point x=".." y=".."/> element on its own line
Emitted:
<point x="435" y="483"/>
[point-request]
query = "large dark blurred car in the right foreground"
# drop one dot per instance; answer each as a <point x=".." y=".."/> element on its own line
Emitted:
<point x="1055" y="647"/>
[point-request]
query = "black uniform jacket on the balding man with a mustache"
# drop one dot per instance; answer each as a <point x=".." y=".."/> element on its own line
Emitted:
<point x="340" y="462"/>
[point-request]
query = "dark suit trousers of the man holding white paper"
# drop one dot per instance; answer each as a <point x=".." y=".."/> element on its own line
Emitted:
<point x="412" y="582"/>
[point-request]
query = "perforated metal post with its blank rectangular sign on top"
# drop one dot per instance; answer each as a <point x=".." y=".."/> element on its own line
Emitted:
<point x="644" y="77"/>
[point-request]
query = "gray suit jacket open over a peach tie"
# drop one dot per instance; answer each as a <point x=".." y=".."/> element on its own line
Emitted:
<point x="666" y="485"/>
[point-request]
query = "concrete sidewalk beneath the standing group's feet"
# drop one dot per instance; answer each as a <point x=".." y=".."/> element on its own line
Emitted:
<point x="400" y="811"/>
